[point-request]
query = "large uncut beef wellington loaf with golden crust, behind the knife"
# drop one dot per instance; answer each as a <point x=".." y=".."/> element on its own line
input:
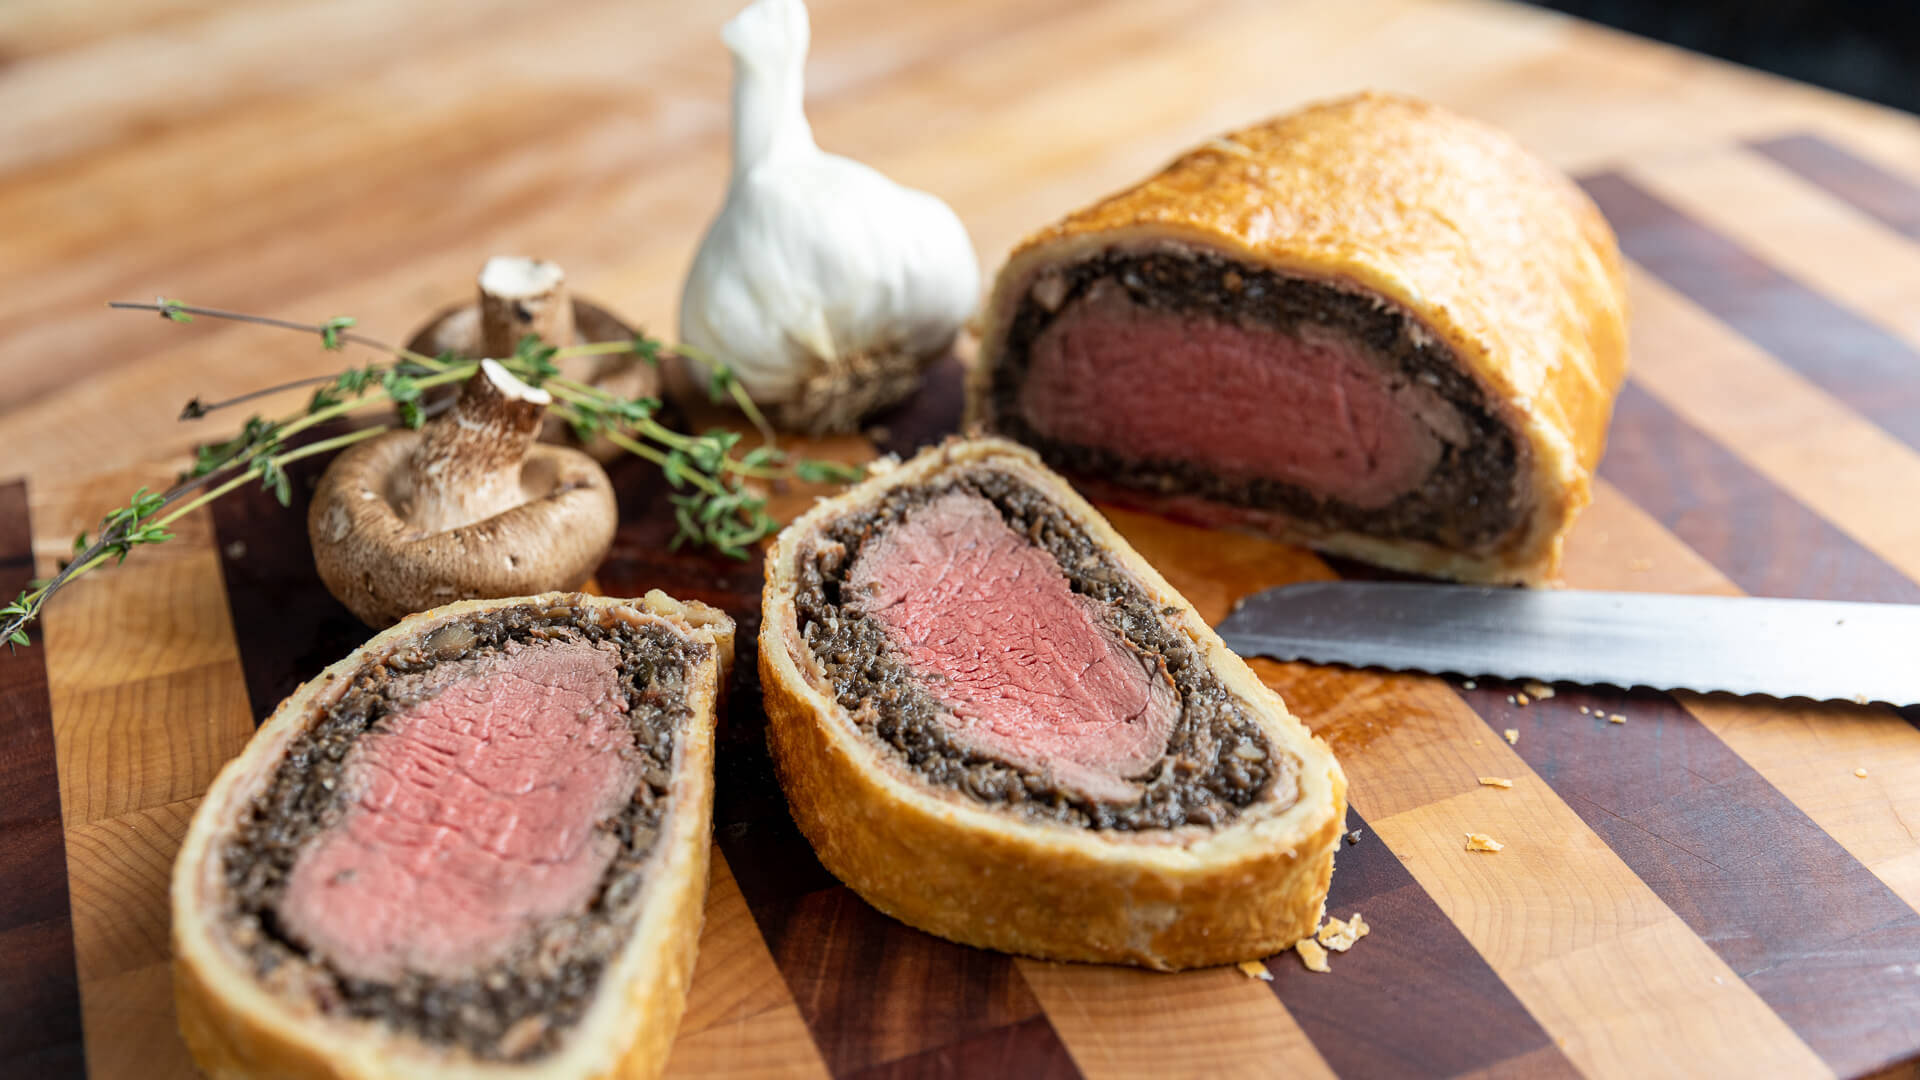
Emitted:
<point x="1372" y="326"/>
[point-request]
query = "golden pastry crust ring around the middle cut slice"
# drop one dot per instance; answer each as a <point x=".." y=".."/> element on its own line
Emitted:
<point x="986" y="877"/>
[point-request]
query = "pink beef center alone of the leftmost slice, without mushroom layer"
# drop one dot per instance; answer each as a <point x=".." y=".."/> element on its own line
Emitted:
<point x="473" y="816"/>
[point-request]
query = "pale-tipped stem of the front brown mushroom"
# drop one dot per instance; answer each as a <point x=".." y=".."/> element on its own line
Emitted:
<point x="468" y="464"/>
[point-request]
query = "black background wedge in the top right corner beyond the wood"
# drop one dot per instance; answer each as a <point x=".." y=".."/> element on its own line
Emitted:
<point x="1869" y="49"/>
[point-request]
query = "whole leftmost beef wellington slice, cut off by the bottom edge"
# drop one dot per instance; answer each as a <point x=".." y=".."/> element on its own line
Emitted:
<point x="473" y="848"/>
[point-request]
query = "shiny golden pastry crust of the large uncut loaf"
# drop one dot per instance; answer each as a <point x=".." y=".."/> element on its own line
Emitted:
<point x="1495" y="253"/>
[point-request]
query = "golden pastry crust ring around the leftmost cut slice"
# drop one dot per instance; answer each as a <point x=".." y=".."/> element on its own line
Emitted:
<point x="239" y="1029"/>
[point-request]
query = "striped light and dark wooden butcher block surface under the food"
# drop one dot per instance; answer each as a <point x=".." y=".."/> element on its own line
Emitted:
<point x="1712" y="887"/>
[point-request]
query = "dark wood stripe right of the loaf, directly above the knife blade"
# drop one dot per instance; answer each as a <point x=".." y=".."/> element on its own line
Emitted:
<point x="1756" y="533"/>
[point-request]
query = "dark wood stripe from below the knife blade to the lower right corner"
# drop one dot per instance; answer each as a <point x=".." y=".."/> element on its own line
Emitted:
<point x="1825" y="943"/>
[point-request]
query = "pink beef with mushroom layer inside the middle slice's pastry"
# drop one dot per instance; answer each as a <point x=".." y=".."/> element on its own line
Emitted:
<point x="984" y="639"/>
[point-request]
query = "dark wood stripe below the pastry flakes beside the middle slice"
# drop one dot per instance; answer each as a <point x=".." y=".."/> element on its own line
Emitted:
<point x="1428" y="1002"/>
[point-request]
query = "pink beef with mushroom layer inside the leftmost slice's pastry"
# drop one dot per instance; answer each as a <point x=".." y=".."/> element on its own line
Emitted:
<point x="454" y="848"/>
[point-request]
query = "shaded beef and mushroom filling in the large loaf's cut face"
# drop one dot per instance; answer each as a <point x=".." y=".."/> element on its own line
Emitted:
<point x="1189" y="374"/>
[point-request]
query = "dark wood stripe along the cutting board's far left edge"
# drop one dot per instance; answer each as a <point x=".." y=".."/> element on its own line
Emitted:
<point x="39" y="981"/>
